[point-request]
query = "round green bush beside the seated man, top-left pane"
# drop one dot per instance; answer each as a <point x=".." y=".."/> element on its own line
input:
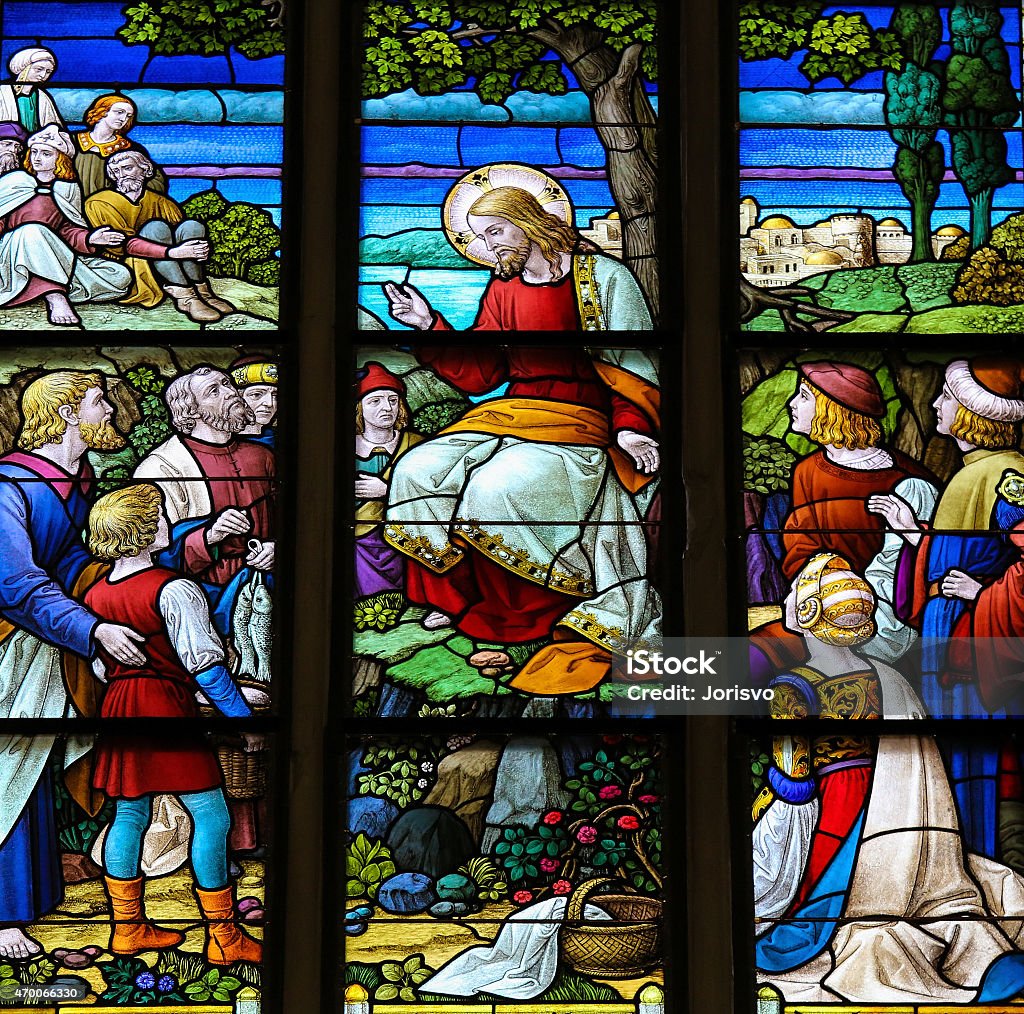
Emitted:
<point x="244" y="238"/>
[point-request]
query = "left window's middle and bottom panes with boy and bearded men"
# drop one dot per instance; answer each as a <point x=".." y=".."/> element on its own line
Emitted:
<point x="142" y="512"/>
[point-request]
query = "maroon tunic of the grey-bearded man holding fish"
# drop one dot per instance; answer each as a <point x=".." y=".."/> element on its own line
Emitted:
<point x="239" y="475"/>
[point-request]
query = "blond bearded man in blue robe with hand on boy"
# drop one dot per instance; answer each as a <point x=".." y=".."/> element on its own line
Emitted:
<point x="46" y="635"/>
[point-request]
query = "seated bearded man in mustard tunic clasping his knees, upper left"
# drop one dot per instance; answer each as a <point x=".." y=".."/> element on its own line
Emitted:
<point x="164" y="250"/>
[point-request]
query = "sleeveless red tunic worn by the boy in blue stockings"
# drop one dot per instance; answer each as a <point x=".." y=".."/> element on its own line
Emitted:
<point x="132" y="767"/>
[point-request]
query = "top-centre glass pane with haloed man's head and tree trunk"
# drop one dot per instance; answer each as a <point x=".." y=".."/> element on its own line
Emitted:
<point x="477" y="115"/>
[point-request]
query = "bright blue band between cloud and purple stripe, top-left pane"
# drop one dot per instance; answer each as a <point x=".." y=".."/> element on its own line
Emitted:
<point x="198" y="145"/>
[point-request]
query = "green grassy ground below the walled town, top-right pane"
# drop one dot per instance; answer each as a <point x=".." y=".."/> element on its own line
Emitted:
<point x="904" y="299"/>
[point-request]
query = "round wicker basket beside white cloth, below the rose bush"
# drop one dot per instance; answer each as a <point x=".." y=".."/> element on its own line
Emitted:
<point x="629" y="946"/>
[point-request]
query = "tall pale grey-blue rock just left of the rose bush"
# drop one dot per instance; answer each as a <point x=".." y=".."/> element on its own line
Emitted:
<point x="529" y="784"/>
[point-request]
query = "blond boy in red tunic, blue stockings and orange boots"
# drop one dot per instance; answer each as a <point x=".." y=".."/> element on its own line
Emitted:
<point x="184" y="653"/>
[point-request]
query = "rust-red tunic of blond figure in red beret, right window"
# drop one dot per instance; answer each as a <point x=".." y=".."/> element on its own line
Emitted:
<point x="830" y="511"/>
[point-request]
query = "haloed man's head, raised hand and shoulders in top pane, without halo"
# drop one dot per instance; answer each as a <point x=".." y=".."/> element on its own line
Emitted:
<point x="545" y="277"/>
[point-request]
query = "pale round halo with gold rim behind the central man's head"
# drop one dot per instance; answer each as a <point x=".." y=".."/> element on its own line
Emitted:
<point x="478" y="183"/>
